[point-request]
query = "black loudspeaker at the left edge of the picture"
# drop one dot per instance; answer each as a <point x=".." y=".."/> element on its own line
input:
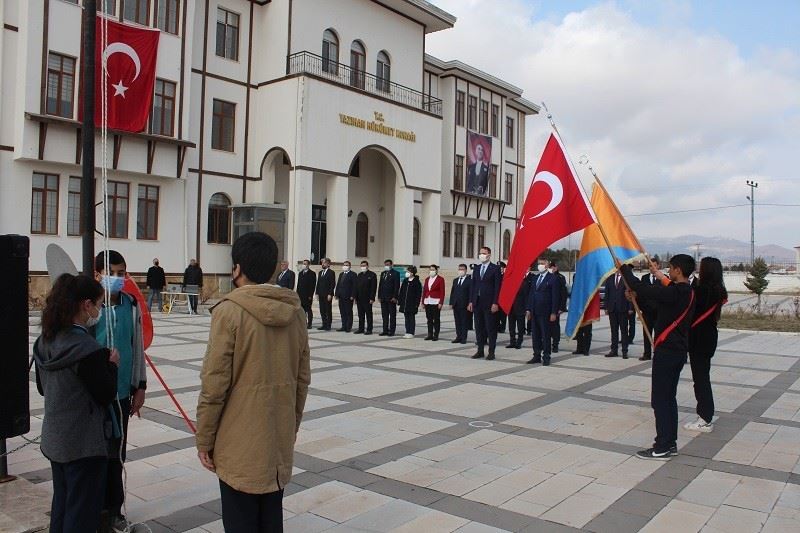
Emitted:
<point x="14" y="407"/>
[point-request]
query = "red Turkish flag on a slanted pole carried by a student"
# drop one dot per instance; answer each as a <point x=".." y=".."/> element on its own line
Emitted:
<point x="554" y="207"/>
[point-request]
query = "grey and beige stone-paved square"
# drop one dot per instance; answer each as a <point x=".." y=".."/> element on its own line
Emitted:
<point x="409" y="435"/>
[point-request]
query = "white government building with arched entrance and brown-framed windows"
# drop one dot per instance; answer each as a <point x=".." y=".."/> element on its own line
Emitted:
<point x="322" y="122"/>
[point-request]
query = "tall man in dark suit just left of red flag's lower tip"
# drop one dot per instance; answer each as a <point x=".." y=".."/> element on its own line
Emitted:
<point x="484" y="291"/>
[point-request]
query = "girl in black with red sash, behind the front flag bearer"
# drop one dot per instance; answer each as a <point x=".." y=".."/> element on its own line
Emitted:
<point x="710" y="295"/>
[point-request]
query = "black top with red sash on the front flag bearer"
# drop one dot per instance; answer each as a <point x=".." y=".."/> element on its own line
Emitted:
<point x="671" y="300"/>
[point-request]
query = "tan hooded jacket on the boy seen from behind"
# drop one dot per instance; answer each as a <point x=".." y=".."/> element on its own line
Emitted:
<point x="255" y="380"/>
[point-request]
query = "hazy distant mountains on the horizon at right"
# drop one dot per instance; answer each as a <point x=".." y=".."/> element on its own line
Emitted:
<point x="725" y="249"/>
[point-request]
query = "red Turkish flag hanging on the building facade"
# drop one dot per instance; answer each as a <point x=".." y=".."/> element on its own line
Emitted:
<point x="128" y="62"/>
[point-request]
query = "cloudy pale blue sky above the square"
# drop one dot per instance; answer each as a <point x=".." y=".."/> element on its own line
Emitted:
<point x="676" y="104"/>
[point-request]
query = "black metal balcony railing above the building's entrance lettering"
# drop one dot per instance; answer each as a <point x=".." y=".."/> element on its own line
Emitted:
<point x="312" y="64"/>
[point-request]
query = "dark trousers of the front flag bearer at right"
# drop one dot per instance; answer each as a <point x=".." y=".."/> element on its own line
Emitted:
<point x="667" y="368"/>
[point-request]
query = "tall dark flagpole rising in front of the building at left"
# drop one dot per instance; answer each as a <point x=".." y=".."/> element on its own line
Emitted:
<point x="87" y="178"/>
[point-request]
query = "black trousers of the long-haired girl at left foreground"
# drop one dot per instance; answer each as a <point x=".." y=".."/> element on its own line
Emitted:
<point x="78" y="491"/>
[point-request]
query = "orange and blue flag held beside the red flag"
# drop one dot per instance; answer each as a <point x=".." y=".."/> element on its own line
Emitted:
<point x="595" y="262"/>
